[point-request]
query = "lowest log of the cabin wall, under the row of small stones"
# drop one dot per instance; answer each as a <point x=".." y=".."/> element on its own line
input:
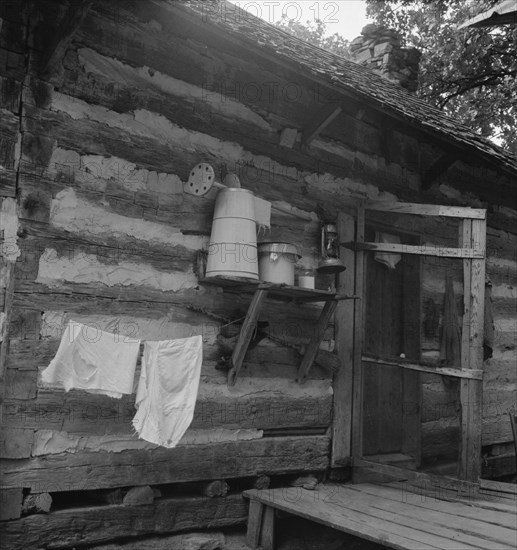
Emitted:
<point x="98" y="524"/>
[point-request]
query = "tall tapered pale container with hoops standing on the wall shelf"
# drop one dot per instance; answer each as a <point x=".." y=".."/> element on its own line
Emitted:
<point x="232" y="251"/>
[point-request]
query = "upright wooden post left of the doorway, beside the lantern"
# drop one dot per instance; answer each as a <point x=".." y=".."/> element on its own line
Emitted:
<point x="344" y="330"/>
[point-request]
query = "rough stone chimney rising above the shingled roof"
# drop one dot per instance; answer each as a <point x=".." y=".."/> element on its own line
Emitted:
<point x="379" y="49"/>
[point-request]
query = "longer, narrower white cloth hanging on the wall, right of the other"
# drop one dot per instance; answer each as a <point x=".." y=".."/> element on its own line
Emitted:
<point x="167" y="389"/>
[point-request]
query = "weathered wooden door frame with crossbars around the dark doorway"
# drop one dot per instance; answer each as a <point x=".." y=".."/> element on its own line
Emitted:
<point x="347" y="426"/>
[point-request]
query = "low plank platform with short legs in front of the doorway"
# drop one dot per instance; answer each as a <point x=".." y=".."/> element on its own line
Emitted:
<point x="390" y="516"/>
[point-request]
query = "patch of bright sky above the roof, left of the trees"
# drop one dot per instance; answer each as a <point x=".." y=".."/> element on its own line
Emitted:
<point x="346" y="17"/>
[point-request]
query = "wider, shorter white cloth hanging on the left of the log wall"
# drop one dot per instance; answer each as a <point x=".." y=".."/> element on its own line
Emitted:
<point x="93" y="360"/>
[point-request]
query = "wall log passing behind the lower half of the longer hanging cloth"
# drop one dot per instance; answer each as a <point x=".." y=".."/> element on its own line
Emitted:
<point x="251" y="406"/>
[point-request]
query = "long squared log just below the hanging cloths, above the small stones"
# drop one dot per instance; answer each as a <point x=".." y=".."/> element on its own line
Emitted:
<point x="102" y="470"/>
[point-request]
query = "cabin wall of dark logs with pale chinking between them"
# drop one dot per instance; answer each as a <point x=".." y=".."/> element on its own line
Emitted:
<point x="142" y="93"/>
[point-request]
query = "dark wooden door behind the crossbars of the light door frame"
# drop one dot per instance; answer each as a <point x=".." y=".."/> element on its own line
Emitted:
<point x="391" y="324"/>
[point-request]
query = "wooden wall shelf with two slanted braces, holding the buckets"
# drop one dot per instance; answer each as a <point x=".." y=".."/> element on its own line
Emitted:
<point x="260" y="291"/>
